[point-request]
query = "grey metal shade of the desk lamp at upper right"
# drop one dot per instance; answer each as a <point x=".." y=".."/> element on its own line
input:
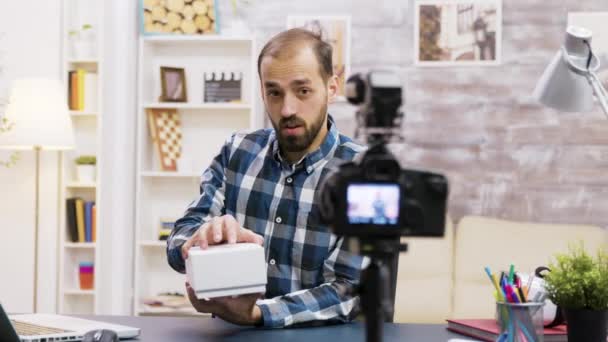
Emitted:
<point x="564" y="84"/>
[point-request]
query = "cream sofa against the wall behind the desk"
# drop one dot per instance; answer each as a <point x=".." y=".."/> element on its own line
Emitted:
<point x="444" y="278"/>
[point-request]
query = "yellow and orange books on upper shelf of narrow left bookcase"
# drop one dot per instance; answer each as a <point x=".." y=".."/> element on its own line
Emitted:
<point x="82" y="92"/>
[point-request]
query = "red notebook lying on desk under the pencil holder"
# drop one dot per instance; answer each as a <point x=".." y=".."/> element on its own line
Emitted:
<point x="488" y="330"/>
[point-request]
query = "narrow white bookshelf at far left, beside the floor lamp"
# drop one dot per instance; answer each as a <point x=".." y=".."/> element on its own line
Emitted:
<point x="87" y="125"/>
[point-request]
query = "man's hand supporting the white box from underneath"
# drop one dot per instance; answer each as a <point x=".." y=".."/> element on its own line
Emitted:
<point x="237" y="310"/>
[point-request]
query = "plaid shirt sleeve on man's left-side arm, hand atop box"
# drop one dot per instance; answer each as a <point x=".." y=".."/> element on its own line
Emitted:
<point x="210" y="203"/>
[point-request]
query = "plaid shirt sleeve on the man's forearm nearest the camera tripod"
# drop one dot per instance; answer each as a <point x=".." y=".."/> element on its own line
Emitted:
<point x="335" y="300"/>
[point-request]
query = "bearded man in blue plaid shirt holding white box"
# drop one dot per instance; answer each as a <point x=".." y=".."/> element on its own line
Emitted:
<point x="263" y="188"/>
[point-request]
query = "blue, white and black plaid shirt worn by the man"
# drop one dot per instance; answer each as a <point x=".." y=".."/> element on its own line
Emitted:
<point x="311" y="274"/>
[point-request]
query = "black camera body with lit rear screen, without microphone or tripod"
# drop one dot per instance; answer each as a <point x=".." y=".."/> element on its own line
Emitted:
<point x="383" y="200"/>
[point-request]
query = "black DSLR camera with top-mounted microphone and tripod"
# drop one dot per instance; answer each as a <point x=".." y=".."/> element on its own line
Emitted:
<point x="372" y="201"/>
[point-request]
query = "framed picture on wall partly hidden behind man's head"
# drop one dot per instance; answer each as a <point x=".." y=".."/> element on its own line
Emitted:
<point x="336" y="31"/>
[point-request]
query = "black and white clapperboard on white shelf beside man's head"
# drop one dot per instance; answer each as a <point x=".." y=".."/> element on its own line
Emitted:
<point x="223" y="86"/>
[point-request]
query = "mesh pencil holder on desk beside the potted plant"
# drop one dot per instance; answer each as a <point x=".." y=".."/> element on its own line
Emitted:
<point x="521" y="321"/>
